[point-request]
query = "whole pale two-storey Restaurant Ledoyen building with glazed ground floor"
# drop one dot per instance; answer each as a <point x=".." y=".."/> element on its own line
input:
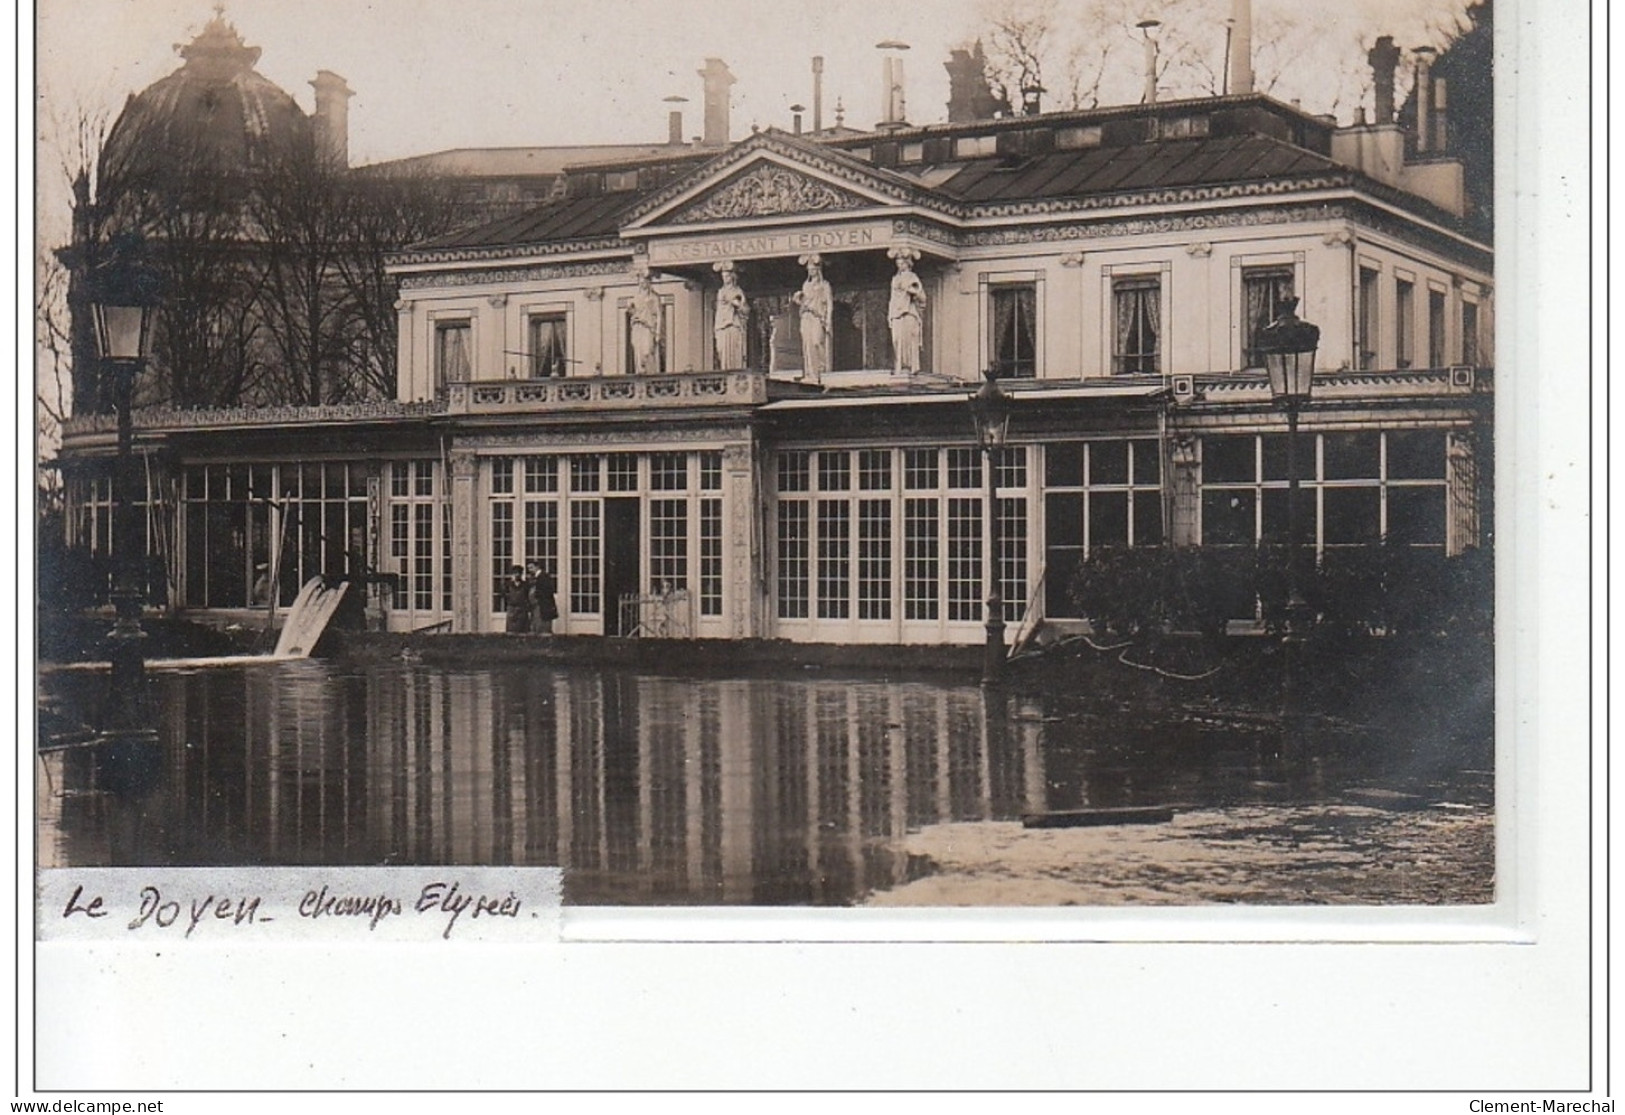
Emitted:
<point x="724" y="393"/>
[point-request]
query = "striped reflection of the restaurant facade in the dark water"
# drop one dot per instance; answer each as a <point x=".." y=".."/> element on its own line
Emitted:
<point x="643" y="789"/>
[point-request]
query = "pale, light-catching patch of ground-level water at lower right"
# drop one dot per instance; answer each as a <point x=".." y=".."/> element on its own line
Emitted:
<point x="1332" y="854"/>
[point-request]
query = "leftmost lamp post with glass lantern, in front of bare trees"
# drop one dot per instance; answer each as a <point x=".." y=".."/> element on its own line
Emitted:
<point x="124" y="298"/>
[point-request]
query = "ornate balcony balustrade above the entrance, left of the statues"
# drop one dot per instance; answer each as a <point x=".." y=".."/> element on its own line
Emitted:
<point x="607" y="393"/>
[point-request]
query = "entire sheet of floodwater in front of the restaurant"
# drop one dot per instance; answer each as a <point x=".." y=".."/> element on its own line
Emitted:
<point x="799" y="791"/>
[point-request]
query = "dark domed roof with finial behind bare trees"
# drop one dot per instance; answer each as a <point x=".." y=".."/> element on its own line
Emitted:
<point x="215" y="116"/>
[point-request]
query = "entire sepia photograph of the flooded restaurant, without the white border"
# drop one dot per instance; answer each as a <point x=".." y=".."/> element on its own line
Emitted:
<point x="1016" y="456"/>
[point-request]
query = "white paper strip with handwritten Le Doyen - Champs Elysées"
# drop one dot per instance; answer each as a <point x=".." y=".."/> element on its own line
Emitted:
<point x="241" y="905"/>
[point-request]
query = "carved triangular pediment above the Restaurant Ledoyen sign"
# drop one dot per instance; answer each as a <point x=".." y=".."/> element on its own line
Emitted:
<point x="774" y="176"/>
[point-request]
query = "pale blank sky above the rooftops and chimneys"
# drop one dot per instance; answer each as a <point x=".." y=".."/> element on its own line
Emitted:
<point x="441" y="74"/>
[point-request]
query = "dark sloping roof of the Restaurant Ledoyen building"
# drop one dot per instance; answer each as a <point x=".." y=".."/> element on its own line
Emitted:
<point x="1257" y="149"/>
